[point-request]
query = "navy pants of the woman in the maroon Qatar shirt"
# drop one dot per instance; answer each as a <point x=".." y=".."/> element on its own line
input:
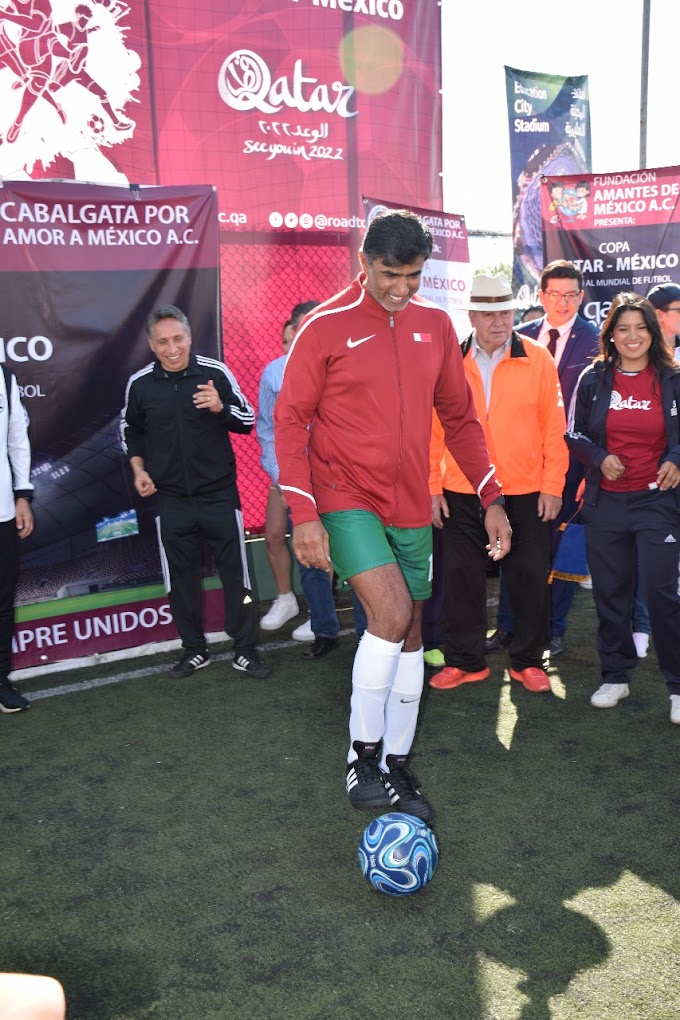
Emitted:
<point x="622" y="530"/>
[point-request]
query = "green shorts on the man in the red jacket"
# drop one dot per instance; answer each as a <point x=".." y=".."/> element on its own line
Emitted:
<point x="359" y="541"/>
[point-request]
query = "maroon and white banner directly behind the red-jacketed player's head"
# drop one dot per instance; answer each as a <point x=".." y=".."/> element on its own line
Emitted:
<point x="447" y="275"/>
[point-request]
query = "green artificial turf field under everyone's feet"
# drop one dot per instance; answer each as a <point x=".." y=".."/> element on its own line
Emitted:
<point x="186" y="849"/>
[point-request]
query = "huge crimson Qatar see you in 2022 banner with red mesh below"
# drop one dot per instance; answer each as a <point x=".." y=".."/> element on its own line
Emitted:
<point x="290" y="109"/>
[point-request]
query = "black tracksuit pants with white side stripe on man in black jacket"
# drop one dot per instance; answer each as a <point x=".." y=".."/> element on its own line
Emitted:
<point x="186" y="523"/>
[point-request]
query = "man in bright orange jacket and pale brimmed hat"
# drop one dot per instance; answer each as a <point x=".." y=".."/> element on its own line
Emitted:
<point x="518" y="399"/>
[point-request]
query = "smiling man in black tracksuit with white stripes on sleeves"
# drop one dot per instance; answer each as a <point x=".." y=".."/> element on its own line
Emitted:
<point x="176" y="428"/>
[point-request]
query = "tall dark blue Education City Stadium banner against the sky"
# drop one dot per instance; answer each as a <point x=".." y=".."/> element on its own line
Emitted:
<point x="550" y="134"/>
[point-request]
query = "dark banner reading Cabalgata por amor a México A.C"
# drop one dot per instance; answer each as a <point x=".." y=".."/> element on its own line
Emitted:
<point x="81" y="268"/>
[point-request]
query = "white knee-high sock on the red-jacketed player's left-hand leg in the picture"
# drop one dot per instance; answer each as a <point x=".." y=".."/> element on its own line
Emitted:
<point x="376" y="667"/>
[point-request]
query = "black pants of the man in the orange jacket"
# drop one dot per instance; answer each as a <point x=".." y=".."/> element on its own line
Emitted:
<point x="526" y="572"/>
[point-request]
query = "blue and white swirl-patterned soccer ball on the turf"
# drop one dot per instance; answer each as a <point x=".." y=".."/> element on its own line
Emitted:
<point x="398" y="854"/>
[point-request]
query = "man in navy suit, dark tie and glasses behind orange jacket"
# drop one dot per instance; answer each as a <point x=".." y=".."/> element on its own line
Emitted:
<point x="573" y="343"/>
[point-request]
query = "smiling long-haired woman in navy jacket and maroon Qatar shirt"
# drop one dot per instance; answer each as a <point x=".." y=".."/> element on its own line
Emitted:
<point x="623" y="426"/>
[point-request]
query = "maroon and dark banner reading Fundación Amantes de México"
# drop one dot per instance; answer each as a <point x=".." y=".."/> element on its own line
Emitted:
<point x="622" y="230"/>
